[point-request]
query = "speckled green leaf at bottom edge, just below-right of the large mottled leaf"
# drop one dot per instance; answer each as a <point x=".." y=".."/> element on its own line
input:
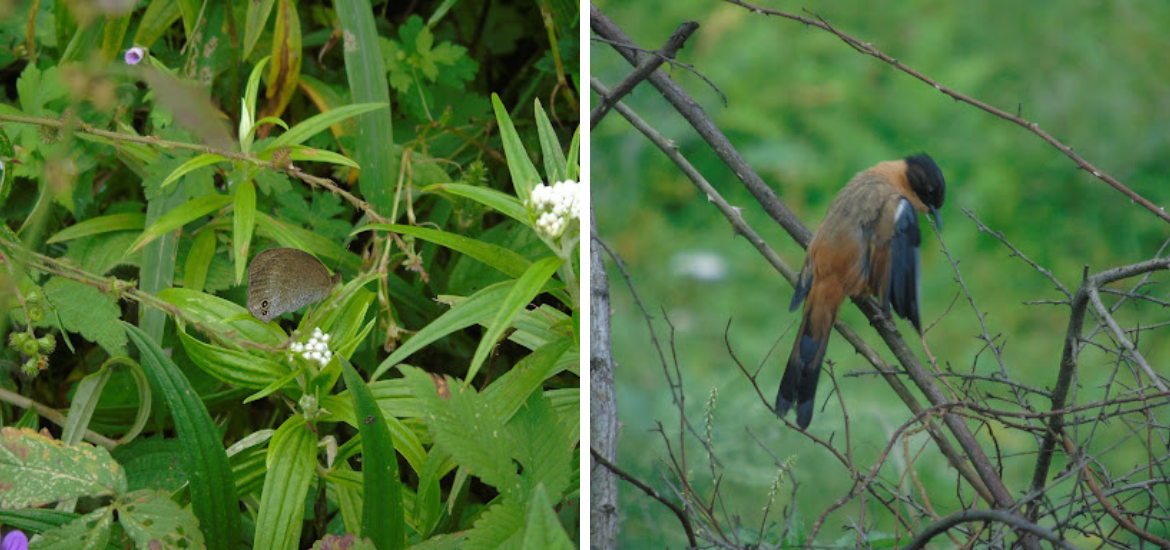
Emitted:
<point x="153" y="520"/>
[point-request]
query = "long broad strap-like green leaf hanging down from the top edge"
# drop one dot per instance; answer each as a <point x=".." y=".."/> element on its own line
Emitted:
<point x="367" y="78"/>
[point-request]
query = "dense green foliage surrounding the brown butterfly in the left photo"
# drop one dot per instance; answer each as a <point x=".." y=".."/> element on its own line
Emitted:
<point x="150" y="150"/>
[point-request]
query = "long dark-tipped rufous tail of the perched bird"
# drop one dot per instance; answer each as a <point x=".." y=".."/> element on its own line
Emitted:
<point x="800" y="383"/>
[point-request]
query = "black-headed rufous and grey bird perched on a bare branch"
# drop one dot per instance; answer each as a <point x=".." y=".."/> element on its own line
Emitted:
<point x="868" y="245"/>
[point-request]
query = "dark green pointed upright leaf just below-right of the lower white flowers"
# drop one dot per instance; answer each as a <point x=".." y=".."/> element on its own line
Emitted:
<point x="382" y="513"/>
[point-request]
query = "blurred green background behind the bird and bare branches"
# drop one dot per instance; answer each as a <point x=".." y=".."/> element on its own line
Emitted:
<point x="808" y="113"/>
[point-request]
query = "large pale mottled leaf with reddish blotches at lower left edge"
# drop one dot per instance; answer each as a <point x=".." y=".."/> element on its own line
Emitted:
<point x="51" y="471"/>
